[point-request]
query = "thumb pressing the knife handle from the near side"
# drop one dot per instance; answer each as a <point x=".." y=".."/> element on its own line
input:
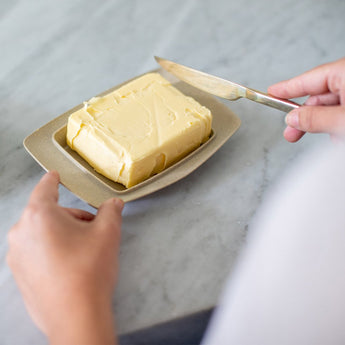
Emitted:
<point x="315" y="119"/>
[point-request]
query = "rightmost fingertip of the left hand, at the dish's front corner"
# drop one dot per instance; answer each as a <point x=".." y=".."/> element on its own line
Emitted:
<point x="109" y="213"/>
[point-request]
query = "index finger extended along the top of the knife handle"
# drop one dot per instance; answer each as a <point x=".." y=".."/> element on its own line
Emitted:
<point x="322" y="79"/>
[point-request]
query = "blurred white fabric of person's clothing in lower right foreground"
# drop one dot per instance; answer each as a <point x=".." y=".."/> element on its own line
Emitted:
<point x="289" y="285"/>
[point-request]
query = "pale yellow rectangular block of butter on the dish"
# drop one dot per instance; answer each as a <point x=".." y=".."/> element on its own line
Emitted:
<point x="138" y="130"/>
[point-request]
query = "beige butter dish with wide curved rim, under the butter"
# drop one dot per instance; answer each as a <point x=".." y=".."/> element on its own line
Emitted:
<point x="47" y="145"/>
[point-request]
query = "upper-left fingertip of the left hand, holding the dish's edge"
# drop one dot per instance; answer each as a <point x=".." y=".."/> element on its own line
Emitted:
<point x="47" y="189"/>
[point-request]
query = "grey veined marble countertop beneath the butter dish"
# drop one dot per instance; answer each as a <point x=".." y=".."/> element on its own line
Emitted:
<point x="179" y="244"/>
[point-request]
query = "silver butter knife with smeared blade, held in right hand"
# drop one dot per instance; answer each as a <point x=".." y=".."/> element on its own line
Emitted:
<point x="224" y="88"/>
